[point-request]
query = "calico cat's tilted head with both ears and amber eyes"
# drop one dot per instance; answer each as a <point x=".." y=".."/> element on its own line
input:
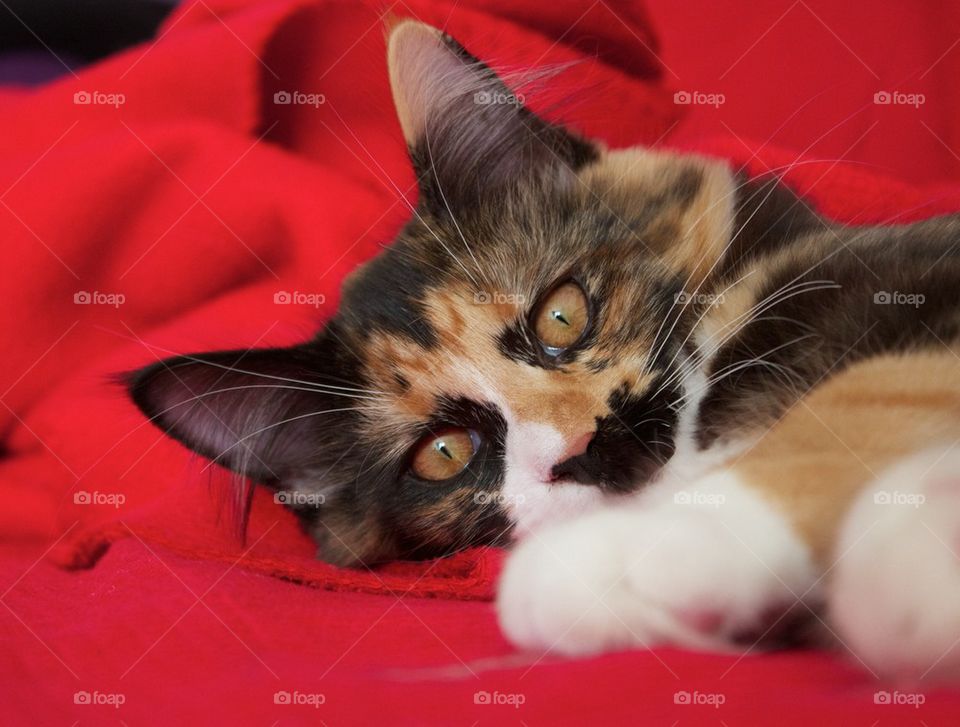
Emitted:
<point x="510" y="360"/>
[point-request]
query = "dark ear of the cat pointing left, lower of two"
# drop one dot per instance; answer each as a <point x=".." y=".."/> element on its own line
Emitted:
<point x="256" y="412"/>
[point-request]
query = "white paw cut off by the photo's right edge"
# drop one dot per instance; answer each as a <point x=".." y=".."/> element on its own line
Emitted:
<point x="895" y="589"/>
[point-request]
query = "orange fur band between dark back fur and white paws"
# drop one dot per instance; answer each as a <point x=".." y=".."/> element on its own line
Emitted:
<point x="842" y="435"/>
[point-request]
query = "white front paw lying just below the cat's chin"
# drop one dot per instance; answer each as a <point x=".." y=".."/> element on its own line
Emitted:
<point x="707" y="566"/>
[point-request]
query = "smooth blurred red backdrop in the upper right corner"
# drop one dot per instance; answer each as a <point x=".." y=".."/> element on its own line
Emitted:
<point x="802" y="74"/>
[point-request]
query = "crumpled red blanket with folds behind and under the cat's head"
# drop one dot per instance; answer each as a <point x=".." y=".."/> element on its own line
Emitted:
<point x="168" y="199"/>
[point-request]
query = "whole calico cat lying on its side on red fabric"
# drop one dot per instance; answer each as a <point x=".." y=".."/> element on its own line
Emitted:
<point x="699" y="406"/>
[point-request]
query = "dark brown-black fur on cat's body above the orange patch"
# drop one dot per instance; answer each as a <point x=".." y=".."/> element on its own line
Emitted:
<point x="810" y="336"/>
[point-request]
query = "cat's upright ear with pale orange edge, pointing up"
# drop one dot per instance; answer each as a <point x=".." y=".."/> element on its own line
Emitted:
<point x="467" y="132"/>
